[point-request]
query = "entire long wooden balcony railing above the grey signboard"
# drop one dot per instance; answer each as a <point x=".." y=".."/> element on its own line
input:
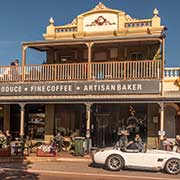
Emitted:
<point x="118" y="70"/>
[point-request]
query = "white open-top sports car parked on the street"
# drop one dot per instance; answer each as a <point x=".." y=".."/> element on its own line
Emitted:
<point x="115" y="159"/>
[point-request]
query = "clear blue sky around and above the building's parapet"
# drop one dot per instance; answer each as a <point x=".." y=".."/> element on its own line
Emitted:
<point x="26" y="20"/>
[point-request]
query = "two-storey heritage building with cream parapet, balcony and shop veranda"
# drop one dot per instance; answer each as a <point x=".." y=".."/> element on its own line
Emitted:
<point x="103" y="71"/>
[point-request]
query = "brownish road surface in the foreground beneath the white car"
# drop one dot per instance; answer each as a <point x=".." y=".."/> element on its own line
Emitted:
<point x="75" y="171"/>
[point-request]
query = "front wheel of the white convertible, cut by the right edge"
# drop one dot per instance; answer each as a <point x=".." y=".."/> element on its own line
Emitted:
<point x="172" y="166"/>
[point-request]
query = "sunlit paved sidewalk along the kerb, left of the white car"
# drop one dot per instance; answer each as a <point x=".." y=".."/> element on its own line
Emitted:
<point x="62" y="156"/>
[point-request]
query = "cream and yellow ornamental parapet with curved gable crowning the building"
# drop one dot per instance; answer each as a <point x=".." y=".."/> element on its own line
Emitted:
<point x="103" y="21"/>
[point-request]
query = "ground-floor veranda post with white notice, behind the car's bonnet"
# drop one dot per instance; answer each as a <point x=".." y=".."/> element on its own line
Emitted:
<point x="161" y="133"/>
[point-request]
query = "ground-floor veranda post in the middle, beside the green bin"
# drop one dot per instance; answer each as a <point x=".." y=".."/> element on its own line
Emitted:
<point x="88" y="122"/>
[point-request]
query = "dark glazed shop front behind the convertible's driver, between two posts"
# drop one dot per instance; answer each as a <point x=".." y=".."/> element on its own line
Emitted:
<point x="108" y="119"/>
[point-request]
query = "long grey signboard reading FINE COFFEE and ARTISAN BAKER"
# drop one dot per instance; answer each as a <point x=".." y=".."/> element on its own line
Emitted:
<point x="81" y="88"/>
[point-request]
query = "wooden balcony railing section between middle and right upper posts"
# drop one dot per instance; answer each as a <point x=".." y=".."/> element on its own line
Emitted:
<point x="126" y="70"/>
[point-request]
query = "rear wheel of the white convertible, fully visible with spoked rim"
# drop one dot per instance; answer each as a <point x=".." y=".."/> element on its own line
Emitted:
<point x="115" y="162"/>
